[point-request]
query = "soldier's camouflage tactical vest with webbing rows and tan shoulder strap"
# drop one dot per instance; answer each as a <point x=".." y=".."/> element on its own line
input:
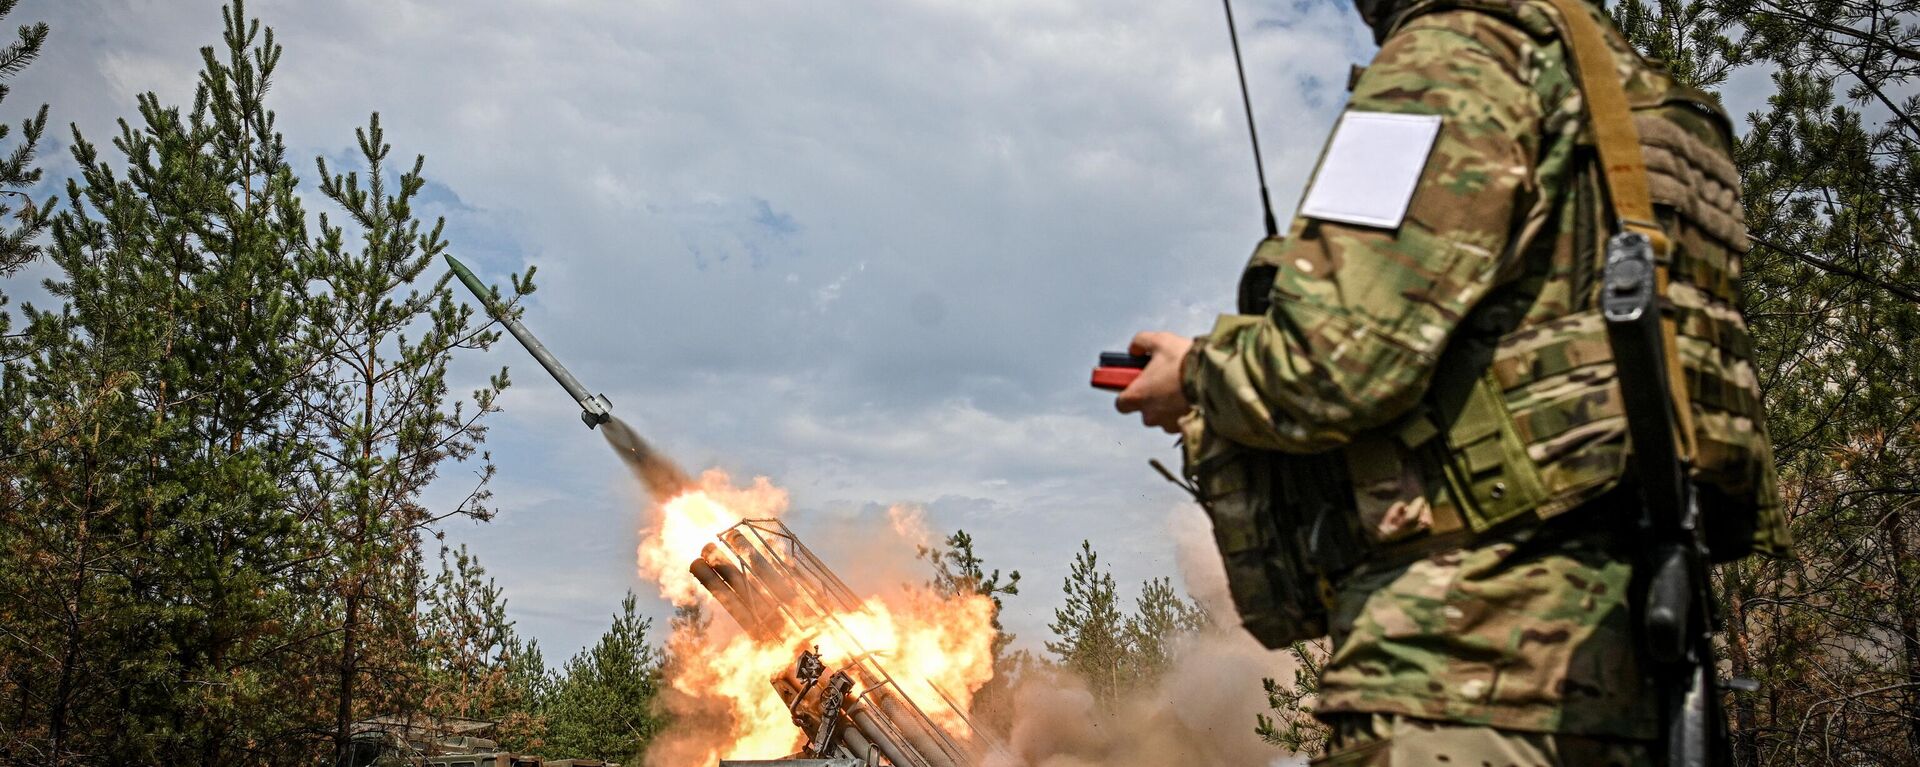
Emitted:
<point x="1541" y="428"/>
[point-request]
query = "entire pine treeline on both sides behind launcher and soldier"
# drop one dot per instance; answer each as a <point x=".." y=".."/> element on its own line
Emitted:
<point x="214" y="545"/>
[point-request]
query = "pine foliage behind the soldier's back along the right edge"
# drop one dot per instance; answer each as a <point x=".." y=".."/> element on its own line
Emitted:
<point x="1833" y="291"/>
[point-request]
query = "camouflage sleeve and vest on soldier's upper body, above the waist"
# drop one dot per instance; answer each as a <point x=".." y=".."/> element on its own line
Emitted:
<point x="1360" y="316"/>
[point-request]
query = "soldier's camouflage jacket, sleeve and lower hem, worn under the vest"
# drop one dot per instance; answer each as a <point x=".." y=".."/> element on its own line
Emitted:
<point x="1508" y="633"/>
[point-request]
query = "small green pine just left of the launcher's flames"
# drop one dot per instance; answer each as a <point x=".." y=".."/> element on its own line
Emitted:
<point x="604" y="705"/>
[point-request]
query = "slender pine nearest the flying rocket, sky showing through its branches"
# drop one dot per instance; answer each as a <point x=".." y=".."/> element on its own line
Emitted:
<point x="387" y="424"/>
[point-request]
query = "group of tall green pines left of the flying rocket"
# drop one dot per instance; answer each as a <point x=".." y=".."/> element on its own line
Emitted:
<point x="214" y="545"/>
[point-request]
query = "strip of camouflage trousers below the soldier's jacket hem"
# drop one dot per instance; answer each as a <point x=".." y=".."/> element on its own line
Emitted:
<point x="1399" y="741"/>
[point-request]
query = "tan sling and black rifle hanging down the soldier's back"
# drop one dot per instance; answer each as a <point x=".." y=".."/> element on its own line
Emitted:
<point x="1677" y="626"/>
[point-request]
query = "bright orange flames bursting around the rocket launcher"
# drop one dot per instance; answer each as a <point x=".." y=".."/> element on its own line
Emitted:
<point x="936" y="649"/>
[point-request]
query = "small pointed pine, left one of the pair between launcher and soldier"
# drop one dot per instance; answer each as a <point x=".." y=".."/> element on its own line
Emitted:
<point x="1090" y="633"/>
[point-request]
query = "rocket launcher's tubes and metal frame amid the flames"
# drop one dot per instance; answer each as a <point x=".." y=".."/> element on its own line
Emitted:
<point x="775" y="587"/>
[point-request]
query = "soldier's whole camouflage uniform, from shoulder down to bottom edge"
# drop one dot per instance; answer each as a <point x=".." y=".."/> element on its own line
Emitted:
<point x="1522" y="635"/>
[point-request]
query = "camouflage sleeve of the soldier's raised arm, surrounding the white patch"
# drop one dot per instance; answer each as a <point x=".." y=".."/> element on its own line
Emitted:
<point x="1362" y="314"/>
